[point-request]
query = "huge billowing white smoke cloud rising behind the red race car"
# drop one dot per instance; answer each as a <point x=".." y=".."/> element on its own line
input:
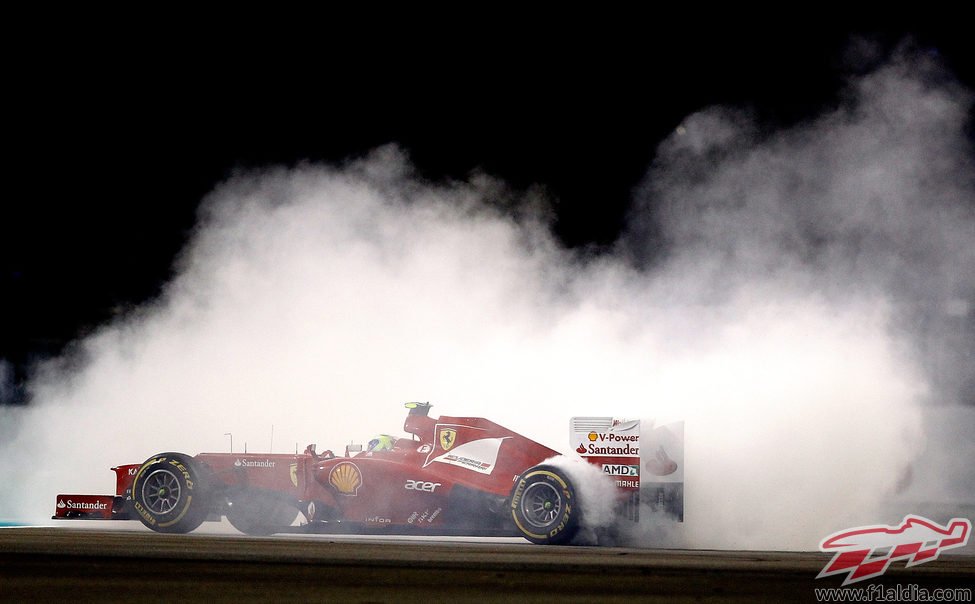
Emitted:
<point x="317" y="299"/>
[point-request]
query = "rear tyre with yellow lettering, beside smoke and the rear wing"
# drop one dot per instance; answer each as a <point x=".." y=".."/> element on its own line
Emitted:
<point x="544" y="506"/>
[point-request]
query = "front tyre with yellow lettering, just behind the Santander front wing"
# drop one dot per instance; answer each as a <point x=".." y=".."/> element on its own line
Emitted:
<point x="169" y="493"/>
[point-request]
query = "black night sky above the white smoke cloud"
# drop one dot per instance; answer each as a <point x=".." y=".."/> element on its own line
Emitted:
<point x="117" y="137"/>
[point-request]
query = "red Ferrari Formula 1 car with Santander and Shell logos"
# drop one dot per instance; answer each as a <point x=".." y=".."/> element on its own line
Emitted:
<point x="457" y="475"/>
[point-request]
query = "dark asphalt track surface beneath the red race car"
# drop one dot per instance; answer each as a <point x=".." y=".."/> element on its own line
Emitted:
<point x="70" y="565"/>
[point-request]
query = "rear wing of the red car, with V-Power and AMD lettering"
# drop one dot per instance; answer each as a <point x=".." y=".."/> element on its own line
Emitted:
<point x="645" y="460"/>
